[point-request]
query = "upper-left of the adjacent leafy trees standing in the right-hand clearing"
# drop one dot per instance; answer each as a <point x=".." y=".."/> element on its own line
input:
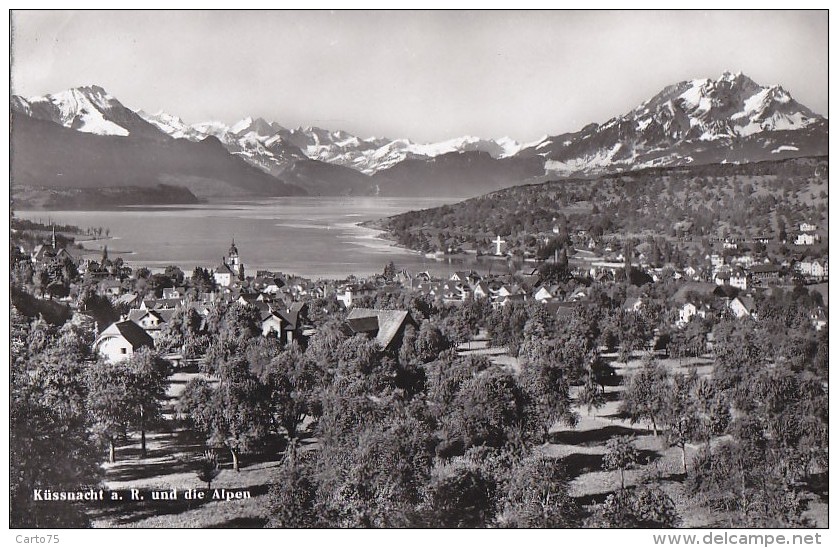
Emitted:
<point x="645" y="396"/>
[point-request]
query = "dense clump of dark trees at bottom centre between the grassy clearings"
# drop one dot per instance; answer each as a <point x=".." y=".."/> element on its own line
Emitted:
<point x="461" y="451"/>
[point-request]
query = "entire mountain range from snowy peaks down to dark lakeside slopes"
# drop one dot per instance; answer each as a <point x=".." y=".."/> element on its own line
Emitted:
<point x="84" y="138"/>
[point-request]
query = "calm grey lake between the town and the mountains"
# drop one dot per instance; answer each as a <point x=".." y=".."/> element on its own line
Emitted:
<point x="313" y="237"/>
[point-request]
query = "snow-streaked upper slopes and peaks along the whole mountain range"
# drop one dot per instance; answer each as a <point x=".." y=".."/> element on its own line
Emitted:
<point x="727" y="119"/>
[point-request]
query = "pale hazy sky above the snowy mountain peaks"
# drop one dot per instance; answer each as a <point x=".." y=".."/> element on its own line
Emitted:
<point x="423" y="75"/>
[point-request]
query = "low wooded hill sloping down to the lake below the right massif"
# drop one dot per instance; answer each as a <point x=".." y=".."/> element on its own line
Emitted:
<point x="748" y="200"/>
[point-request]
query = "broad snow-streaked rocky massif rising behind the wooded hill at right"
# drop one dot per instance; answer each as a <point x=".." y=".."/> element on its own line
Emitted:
<point x="694" y="120"/>
